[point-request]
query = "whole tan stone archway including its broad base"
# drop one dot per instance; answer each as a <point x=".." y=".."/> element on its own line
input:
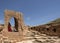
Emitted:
<point x="20" y="27"/>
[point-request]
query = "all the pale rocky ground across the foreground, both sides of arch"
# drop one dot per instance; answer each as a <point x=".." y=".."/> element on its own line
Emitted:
<point x="33" y="37"/>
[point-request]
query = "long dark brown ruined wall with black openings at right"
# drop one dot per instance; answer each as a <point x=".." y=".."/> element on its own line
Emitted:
<point x="49" y="29"/>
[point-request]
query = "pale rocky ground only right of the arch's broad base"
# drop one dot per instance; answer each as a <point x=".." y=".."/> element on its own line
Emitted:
<point x="36" y="37"/>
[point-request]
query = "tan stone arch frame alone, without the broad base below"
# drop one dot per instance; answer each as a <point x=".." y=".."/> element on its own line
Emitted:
<point x="17" y="17"/>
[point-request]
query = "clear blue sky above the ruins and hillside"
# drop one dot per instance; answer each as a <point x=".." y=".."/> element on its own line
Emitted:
<point x="35" y="12"/>
